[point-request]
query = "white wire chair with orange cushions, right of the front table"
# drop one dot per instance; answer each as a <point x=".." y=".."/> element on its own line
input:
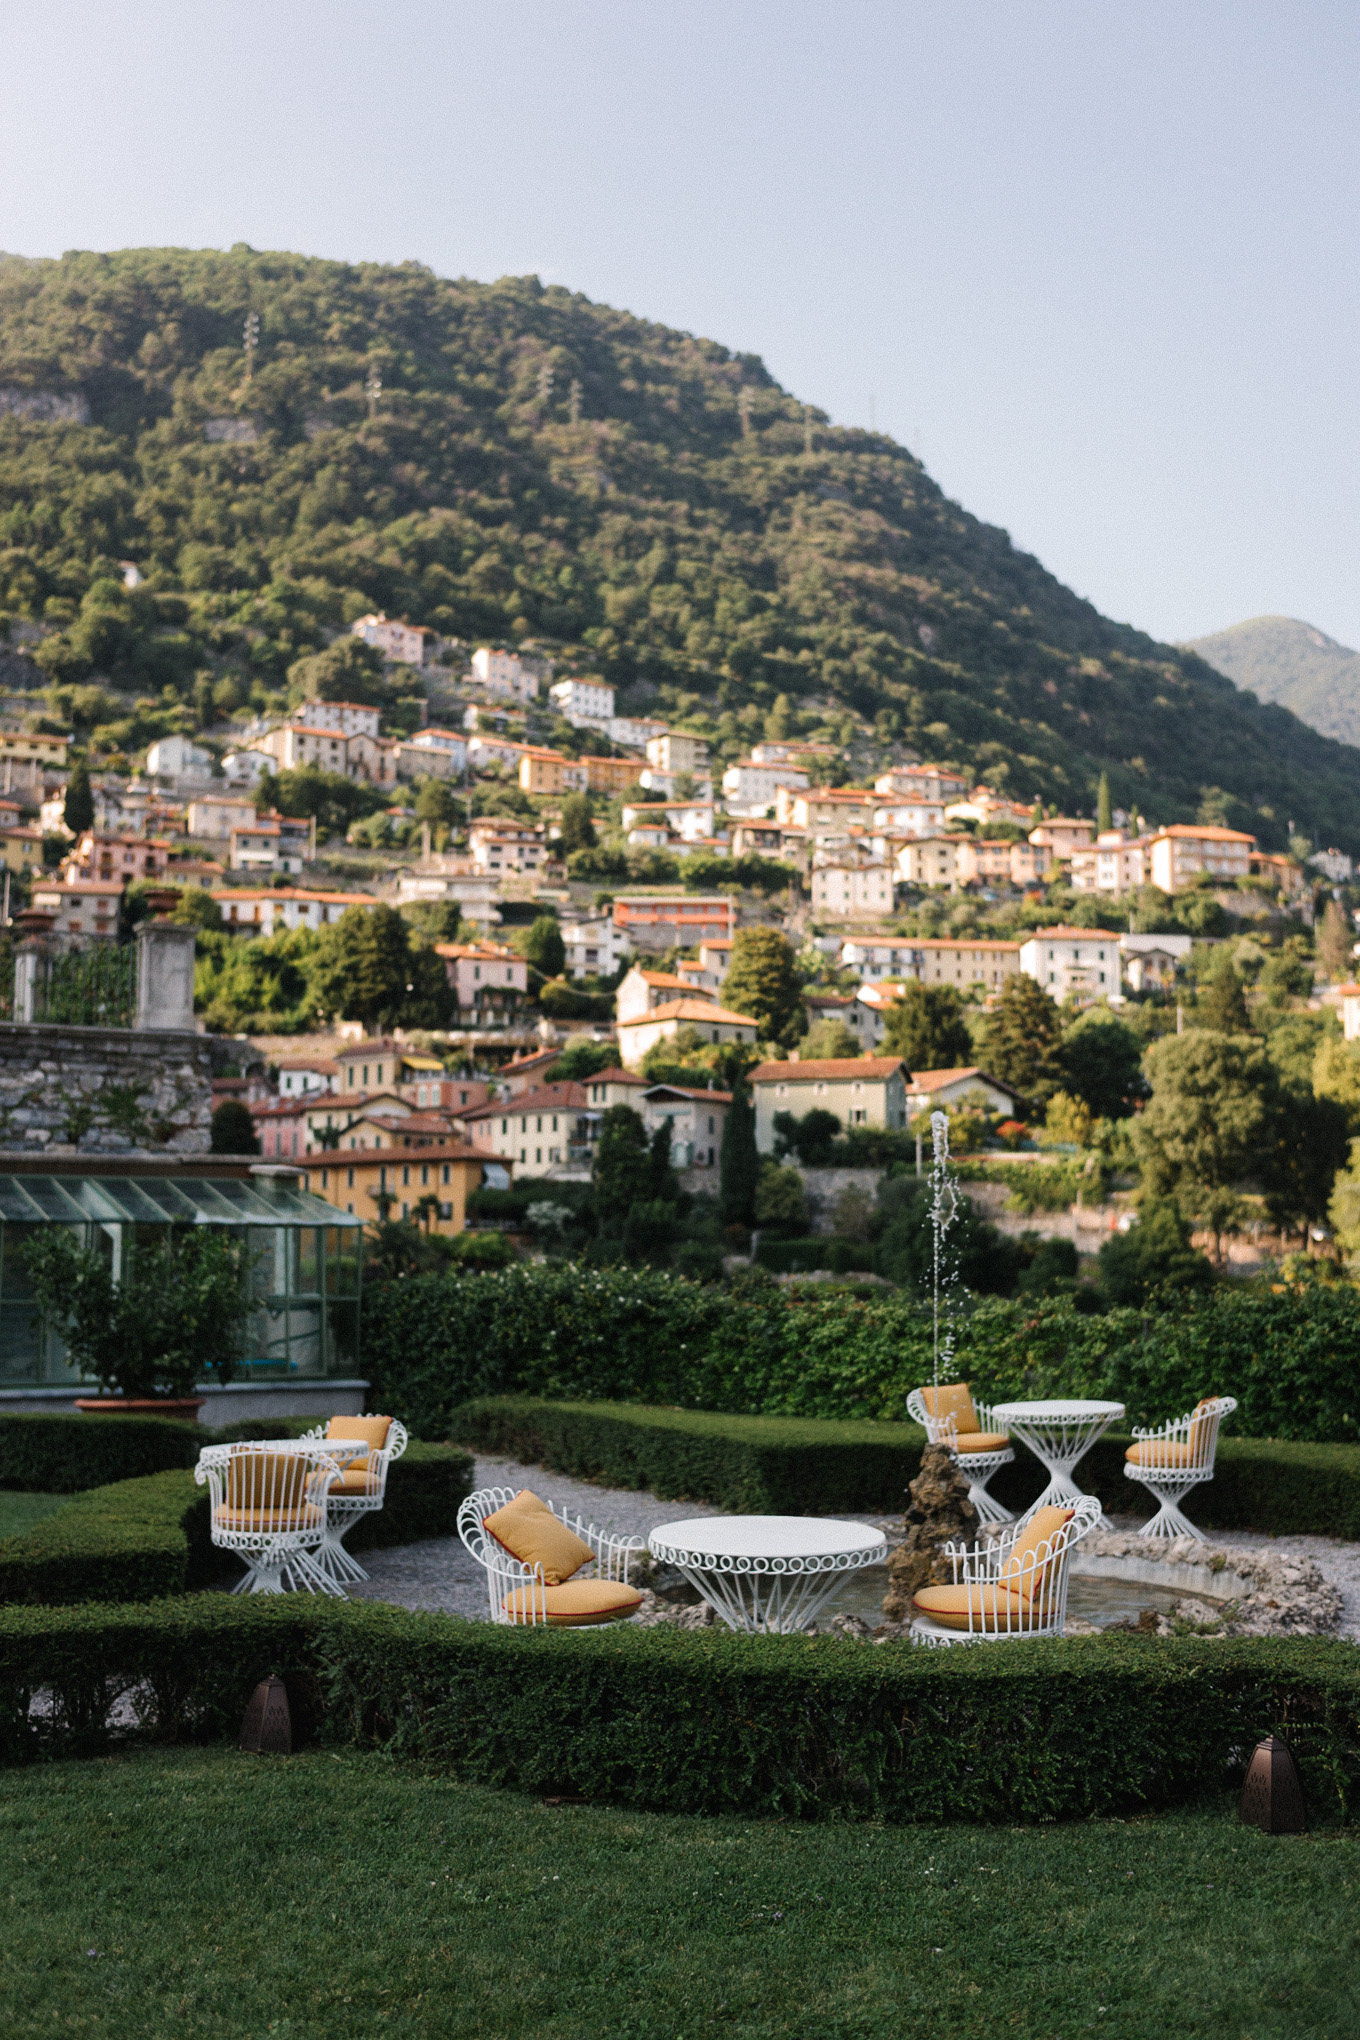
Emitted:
<point x="1012" y="1584"/>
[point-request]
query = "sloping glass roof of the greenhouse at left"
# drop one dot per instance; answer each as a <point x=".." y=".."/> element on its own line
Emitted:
<point x="70" y="1201"/>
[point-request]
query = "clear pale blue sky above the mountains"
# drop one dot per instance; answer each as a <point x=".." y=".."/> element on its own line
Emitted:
<point x="1094" y="262"/>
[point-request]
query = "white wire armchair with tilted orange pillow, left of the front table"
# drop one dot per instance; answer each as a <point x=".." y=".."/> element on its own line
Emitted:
<point x="570" y="1574"/>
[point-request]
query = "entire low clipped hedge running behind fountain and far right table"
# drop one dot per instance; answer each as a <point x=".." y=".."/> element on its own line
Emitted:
<point x="800" y="1466"/>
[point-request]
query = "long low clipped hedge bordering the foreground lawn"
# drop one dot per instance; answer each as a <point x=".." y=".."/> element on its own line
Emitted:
<point x="702" y="1723"/>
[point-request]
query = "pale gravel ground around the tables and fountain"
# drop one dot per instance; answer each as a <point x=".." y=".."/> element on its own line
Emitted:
<point x="439" y="1574"/>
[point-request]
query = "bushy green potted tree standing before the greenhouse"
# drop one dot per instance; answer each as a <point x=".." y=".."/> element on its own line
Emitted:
<point x="154" y="1333"/>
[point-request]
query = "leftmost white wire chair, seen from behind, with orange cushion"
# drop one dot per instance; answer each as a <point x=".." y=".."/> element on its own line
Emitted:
<point x="268" y="1504"/>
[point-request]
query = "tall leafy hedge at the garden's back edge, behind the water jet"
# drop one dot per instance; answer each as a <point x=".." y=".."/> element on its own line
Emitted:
<point x="635" y="1335"/>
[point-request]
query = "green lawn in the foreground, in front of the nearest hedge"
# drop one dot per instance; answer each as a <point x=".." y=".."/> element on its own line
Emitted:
<point x="244" y="1896"/>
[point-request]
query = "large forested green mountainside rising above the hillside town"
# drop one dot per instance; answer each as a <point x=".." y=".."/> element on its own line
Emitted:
<point x="515" y="462"/>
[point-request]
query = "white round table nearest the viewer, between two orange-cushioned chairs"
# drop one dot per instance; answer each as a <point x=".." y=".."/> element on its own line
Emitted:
<point x="768" y="1572"/>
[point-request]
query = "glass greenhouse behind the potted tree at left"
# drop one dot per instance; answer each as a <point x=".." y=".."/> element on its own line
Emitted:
<point x="305" y="1262"/>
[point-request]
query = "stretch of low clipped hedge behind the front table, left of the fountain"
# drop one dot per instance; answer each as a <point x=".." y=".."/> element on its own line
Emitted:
<point x="762" y="1466"/>
